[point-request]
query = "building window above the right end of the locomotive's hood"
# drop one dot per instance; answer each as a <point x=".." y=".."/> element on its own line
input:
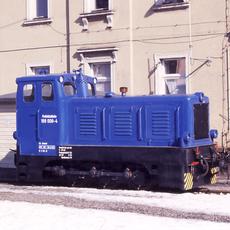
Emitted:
<point x="172" y="76"/>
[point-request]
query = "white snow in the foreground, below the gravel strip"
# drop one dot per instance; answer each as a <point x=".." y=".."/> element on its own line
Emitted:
<point x="27" y="216"/>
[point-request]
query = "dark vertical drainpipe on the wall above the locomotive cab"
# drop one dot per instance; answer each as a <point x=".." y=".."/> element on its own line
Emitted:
<point x="67" y="38"/>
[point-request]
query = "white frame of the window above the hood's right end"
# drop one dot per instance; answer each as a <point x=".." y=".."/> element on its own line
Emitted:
<point x="160" y="76"/>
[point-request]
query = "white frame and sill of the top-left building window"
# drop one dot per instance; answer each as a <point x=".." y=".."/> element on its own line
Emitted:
<point x="32" y="17"/>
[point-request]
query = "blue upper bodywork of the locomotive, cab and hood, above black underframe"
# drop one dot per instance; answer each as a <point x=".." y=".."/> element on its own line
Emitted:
<point x="83" y="119"/>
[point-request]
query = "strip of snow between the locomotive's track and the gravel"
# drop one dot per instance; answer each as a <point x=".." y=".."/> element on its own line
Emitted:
<point x="188" y="202"/>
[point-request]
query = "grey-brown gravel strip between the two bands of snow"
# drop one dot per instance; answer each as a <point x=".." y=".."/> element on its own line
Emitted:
<point x="31" y="194"/>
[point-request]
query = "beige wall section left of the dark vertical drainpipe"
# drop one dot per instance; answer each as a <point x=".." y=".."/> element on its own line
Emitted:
<point x="23" y="43"/>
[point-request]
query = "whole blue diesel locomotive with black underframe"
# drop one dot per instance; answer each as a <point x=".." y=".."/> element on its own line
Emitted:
<point x="65" y="130"/>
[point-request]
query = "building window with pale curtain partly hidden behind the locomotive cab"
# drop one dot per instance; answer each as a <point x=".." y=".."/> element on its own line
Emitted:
<point x="102" y="71"/>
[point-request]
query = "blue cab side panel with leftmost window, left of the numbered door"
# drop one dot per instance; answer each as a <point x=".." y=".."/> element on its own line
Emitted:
<point x="27" y="107"/>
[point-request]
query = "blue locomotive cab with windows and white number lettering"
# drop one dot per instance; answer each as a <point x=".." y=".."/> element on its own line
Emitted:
<point x="40" y="109"/>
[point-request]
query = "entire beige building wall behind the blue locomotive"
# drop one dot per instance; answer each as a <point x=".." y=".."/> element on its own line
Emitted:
<point x="133" y="36"/>
